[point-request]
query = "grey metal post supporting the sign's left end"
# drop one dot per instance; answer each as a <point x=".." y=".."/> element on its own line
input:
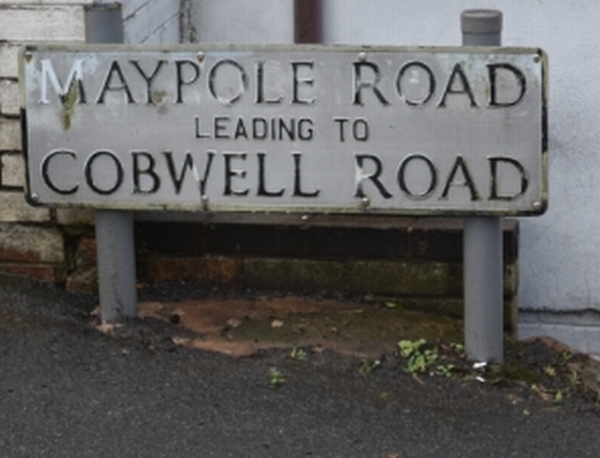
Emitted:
<point x="114" y="229"/>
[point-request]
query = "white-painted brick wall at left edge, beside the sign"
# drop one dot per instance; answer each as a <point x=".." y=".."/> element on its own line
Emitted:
<point x="31" y="241"/>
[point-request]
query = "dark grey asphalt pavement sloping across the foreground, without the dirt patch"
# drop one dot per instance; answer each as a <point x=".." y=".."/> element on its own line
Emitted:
<point x="69" y="390"/>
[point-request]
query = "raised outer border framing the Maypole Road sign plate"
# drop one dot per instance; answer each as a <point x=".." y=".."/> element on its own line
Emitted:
<point x="540" y="208"/>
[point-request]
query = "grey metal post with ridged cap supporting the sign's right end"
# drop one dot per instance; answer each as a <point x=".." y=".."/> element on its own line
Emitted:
<point x="482" y="242"/>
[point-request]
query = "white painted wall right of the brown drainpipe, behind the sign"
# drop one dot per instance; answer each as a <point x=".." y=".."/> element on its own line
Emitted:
<point x="560" y="251"/>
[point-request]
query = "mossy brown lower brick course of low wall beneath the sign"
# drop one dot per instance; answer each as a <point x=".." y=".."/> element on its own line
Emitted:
<point x="427" y="286"/>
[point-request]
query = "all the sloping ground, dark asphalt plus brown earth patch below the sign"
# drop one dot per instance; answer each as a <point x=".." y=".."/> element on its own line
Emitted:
<point x="310" y="383"/>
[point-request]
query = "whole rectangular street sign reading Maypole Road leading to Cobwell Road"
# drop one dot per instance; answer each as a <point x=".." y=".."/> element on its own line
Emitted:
<point x="413" y="131"/>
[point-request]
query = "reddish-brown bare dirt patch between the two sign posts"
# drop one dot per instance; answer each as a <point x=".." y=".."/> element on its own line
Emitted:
<point x="243" y="326"/>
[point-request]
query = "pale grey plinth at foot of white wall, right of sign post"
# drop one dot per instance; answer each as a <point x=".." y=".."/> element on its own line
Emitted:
<point x="578" y="330"/>
